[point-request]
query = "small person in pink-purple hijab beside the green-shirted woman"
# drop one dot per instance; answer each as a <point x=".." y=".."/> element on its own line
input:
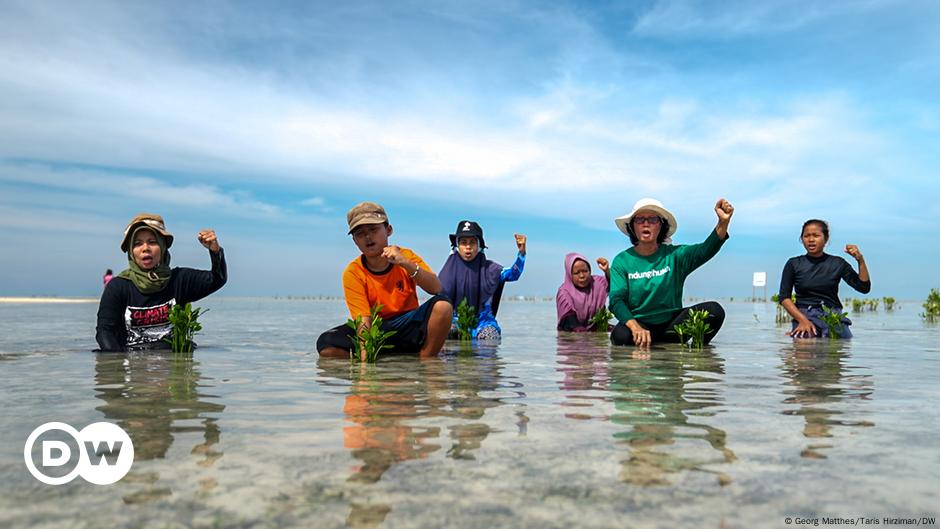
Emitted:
<point x="582" y="295"/>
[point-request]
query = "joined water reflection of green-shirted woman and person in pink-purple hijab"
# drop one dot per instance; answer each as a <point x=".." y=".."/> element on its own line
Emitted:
<point x="664" y="395"/>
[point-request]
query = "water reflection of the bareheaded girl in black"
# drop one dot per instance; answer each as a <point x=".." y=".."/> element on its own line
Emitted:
<point x="819" y="379"/>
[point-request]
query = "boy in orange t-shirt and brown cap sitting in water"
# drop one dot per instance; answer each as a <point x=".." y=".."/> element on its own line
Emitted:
<point x="388" y="275"/>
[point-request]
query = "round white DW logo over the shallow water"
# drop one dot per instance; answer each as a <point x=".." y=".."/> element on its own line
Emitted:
<point x="105" y="453"/>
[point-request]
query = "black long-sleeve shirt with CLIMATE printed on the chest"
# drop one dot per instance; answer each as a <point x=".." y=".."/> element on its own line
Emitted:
<point x="128" y="318"/>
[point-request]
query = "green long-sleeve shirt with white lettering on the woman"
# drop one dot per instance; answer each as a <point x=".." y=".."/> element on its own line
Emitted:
<point x="649" y="288"/>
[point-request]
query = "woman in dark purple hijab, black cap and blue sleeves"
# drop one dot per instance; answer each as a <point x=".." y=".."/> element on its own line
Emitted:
<point x="468" y="274"/>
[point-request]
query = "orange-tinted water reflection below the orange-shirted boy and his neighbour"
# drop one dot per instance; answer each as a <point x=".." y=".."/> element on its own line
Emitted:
<point x="403" y="408"/>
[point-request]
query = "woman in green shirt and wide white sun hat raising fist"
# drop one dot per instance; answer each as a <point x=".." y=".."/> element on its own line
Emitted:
<point x="646" y="280"/>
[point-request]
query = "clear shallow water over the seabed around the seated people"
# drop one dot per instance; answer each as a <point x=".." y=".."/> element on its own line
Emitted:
<point x="539" y="431"/>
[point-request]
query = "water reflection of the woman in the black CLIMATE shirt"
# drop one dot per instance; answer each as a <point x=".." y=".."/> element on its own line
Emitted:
<point x="155" y="397"/>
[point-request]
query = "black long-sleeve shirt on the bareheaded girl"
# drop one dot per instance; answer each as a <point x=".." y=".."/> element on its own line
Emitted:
<point x="816" y="280"/>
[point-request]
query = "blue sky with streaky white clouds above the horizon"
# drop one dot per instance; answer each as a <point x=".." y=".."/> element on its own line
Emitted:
<point x="267" y="122"/>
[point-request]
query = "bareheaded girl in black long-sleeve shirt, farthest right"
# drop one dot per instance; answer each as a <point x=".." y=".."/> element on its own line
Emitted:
<point x="816" y="277"/>
